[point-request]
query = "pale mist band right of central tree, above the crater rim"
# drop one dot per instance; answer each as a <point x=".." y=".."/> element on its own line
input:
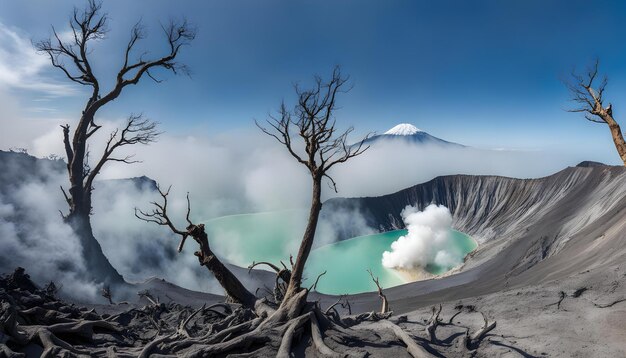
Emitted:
<point x="392" y="166"/>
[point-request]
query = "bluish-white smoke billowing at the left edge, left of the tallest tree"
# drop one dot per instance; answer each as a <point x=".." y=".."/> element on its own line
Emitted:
<point x="33" y="235"/>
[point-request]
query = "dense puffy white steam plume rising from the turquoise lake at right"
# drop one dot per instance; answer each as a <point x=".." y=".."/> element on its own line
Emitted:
<point x="428" y="241"/>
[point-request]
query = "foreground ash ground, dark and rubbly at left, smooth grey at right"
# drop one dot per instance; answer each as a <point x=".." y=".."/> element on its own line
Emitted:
<point x="581" y="316"/>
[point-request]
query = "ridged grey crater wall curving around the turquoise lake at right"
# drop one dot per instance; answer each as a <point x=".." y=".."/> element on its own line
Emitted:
<point x="530" y="230"/>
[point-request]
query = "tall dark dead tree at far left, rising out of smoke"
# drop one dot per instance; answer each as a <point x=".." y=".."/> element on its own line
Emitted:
<point x="75" y="59"/>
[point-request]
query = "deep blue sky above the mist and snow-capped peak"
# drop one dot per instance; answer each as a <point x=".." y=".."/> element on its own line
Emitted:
<point x="482" y="73"/>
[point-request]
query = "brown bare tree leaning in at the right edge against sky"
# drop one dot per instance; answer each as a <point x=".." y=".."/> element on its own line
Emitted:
<point x="590" y="97"/>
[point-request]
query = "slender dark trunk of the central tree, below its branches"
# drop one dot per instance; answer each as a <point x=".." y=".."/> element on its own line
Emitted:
<point x="307" y="241"/>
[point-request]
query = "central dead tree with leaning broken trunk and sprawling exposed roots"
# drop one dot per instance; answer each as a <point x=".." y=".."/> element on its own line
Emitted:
<point x="265" y="326"/>
